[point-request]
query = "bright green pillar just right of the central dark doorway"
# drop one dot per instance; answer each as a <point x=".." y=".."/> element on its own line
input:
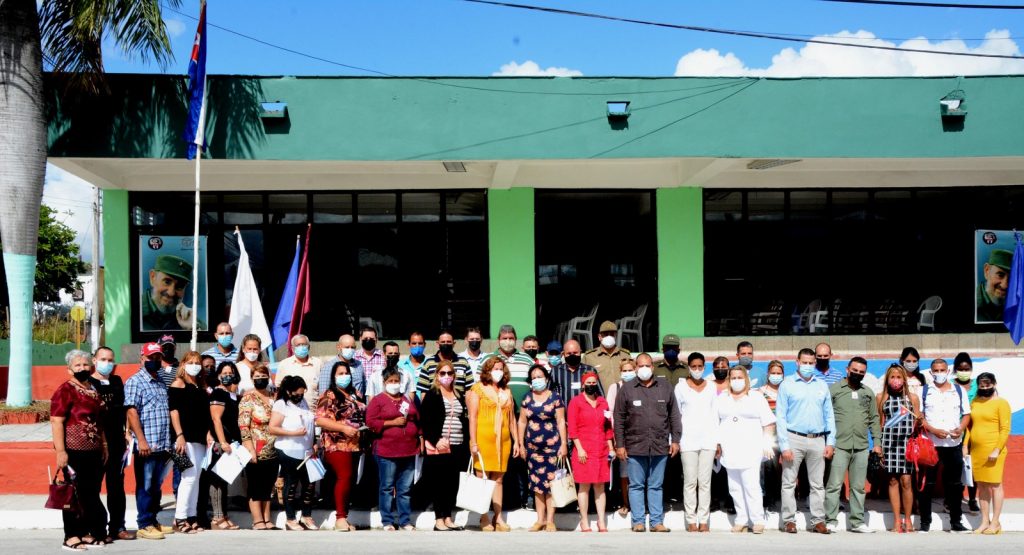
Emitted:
<point x="680" y="262"/>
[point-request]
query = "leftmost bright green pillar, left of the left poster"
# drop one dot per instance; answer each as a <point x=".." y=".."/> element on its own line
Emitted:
<point x="117" y="270"/>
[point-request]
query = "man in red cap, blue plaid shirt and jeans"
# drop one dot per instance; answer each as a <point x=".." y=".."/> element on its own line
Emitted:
<point x="150" y="421"/>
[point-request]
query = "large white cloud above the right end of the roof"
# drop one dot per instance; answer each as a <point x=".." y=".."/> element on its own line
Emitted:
<point x="828" y="61"/>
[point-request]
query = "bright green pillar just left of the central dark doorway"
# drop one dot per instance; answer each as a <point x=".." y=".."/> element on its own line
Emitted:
<point x="510" y="248"/>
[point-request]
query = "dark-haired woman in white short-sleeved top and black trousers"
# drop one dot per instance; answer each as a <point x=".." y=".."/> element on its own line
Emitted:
<point x="292" y="422"/>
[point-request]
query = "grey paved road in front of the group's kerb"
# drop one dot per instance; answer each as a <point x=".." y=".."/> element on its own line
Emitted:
<point x="248" y="542"/>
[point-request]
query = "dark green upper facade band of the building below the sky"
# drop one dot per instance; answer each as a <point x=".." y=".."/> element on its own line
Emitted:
<point x="398" y="119"/>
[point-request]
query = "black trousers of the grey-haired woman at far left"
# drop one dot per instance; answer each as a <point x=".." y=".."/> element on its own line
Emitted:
<point x="89" y="467"/>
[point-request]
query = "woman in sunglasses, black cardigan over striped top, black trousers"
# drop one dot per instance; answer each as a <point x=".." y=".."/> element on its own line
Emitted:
<point x="445" y="430"/>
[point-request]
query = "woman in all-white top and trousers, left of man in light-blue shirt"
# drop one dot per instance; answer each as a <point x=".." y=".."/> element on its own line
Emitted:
<point x="744" y="422"/>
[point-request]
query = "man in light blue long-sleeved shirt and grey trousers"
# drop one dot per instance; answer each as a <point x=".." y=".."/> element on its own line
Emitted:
<point x="806" y="435"/>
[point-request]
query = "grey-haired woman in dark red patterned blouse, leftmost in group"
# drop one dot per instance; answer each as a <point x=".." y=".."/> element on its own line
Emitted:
<point x="76" y="416"/>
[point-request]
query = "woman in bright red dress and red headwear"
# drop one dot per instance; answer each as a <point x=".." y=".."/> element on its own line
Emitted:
<point x="590" y="431"/>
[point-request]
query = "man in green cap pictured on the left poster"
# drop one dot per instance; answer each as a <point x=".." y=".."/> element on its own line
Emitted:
<point x="162" y="307"/>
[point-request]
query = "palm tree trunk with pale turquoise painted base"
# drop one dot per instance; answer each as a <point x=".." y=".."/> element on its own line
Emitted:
<point x="23" y="168"/>
